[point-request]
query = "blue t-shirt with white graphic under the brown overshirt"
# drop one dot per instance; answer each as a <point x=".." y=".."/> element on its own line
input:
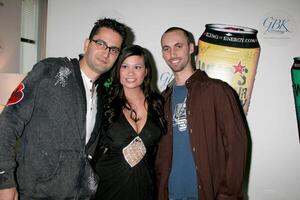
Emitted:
<point x="183" y="180"/>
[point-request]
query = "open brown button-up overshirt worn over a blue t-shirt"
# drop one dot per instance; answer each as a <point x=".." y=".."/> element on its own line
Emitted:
<point x="218" y="137"/>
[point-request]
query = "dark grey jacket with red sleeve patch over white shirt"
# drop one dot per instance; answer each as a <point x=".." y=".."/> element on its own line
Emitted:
<point x="49" y="123"/>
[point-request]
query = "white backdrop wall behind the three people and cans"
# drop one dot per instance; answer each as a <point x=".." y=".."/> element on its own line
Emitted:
<point x="275" y="162"/>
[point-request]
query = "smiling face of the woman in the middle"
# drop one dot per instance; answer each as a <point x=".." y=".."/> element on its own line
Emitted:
<point x="132" y="72"/>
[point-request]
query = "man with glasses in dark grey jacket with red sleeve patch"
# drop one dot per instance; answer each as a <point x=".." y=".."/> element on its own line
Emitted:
<point x="52" y="120"/>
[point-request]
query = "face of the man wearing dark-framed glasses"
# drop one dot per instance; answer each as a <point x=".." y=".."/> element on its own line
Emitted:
<point x="97" y="58"/>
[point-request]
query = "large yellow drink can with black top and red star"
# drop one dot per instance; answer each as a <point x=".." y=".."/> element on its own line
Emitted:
<point x="230" y="53"/>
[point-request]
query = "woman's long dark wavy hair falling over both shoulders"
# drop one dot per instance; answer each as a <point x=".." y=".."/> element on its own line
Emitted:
<point x="116" y="101"/>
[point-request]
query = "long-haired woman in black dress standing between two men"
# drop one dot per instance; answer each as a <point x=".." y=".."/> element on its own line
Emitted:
<point x="133" y="124"/>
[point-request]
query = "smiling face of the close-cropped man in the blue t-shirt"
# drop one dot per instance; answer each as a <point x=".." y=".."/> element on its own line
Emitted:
<point x="176" y="50"/>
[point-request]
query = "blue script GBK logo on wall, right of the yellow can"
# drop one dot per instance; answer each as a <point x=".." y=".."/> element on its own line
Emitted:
<point x="276" y="25"/>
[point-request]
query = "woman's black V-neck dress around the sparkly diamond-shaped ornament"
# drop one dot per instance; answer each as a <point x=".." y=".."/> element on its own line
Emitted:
<point x="119" y="181"/>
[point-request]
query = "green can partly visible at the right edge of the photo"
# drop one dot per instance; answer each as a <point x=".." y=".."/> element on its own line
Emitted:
<point x="295" y="71"/>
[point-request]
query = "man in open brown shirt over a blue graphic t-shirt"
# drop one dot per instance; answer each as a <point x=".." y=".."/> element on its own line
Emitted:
<point x="203" y="154"/>
